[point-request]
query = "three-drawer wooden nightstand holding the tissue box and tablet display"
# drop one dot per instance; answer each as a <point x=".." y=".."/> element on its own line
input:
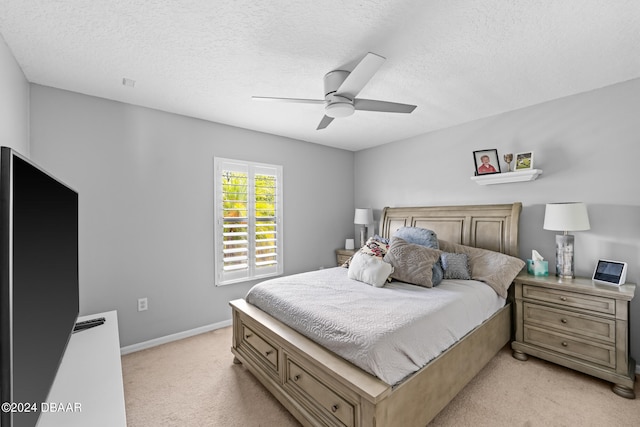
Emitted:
<point x="578" y="324"/>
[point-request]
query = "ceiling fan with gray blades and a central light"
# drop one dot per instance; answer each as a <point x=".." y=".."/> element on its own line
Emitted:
<point x="340" y="91"/>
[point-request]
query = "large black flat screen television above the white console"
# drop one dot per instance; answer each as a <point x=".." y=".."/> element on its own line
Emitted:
<point x="39" y="301"/>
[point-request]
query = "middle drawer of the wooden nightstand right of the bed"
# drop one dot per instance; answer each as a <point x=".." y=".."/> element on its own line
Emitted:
<point x="570" y="322"/>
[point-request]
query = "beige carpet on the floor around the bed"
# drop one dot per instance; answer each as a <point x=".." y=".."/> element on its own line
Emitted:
<point x="193" y="382"/>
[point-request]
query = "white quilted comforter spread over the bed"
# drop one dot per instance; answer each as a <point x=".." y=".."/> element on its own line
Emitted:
<point x="389" y="332"/>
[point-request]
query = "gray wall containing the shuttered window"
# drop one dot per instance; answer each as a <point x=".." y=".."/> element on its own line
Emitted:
<point x="145" y="180"/>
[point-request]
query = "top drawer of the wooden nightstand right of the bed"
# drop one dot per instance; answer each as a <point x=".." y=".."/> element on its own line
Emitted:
<point x="585" y="302"/>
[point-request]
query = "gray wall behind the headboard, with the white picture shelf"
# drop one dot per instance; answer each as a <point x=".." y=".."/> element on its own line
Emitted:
<point x="588" y="146"/>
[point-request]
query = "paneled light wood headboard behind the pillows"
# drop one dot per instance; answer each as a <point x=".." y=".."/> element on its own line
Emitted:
<point x="493" y="227"/>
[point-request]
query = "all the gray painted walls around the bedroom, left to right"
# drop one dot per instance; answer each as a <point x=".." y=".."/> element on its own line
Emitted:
<point x="145" y="183"/>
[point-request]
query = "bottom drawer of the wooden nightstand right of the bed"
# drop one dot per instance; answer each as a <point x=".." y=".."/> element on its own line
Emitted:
<point x="575" y="347"/>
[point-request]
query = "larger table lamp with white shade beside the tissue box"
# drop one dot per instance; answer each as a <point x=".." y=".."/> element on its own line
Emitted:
<point x="565" y="217"/>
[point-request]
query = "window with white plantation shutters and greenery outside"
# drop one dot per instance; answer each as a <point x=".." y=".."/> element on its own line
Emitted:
<point x="248" y="220"/>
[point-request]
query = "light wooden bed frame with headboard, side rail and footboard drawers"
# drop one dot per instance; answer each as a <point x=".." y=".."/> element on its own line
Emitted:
<point x="322" y="389"/>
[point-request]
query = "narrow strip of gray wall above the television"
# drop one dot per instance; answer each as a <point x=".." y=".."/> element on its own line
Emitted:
<point x="14" y="103"/>
